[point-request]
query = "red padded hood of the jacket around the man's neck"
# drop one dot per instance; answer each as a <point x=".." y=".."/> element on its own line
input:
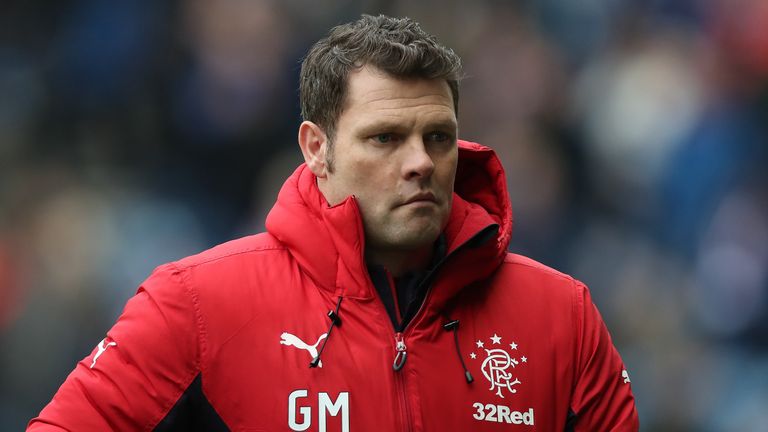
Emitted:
<point x="329" y="244"/>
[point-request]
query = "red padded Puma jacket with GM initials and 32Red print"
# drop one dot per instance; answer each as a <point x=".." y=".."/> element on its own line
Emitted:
<point x="223" y="340"/>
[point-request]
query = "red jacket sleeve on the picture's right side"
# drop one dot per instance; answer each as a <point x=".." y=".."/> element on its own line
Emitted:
<point x="602" y="398"/>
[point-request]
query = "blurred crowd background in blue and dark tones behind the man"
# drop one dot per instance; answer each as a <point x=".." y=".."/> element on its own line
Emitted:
<point x="633" y="133"/>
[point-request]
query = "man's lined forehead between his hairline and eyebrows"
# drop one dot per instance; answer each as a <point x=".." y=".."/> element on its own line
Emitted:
<point x="371" y="91"/>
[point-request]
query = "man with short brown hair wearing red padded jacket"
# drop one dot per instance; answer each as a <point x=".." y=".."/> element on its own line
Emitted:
<point x="380" y="298"/>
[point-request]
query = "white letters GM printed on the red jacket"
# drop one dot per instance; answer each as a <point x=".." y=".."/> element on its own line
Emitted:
<point x="324" y="405"/>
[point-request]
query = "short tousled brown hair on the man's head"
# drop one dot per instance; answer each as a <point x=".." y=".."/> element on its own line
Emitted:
<point x="396" y="46"/>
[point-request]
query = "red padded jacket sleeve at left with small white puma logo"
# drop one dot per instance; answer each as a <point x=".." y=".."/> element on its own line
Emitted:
<point x="135" y="375"/>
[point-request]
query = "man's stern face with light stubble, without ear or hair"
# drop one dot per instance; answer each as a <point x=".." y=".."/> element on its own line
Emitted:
<point x="395" y="150"/>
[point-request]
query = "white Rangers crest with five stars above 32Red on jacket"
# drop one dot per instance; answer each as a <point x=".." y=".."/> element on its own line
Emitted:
<point x="498" y="361"/>
